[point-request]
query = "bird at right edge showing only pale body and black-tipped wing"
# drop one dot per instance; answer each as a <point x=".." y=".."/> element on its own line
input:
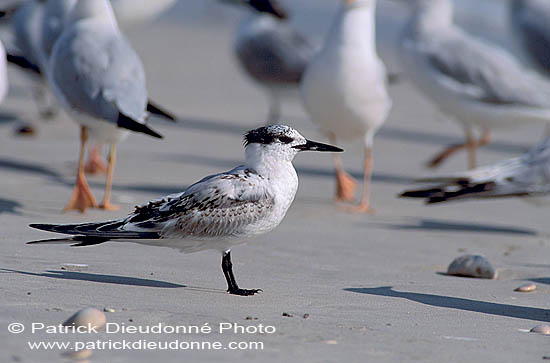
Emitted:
<point x="524" y="176"/>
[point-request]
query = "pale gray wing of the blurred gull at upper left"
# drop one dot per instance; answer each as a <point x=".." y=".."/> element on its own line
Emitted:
<point x="98" y="73"/>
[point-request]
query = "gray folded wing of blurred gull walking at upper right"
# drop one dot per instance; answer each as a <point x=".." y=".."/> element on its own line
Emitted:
<point x="484" y="72"/>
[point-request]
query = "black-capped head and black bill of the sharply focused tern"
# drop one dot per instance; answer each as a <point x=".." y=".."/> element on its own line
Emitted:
<point x="280" y="142"/>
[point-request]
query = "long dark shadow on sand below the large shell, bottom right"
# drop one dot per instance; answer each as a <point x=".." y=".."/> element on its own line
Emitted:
<point x="450" y="302"/>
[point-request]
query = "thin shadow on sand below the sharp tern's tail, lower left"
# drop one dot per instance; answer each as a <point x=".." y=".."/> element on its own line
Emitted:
<point x="107" y="279"/>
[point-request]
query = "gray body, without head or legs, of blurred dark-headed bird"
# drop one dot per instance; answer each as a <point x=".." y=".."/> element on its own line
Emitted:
<point x="276" y="53"/>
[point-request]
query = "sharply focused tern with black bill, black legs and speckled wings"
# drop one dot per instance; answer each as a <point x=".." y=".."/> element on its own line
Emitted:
<point x="218" y="212"/>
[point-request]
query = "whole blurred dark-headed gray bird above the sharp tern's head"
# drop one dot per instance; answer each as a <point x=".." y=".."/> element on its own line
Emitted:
<point x="271" y="52"/>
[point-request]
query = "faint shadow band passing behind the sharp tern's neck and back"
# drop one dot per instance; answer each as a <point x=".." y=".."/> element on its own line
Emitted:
<point x="227" y="164"/>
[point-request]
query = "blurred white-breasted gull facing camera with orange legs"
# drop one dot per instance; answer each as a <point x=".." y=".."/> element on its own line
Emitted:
<point x="344" y="90"/>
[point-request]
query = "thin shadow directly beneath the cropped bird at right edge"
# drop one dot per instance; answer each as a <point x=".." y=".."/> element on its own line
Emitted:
<point x="425" y="224"/>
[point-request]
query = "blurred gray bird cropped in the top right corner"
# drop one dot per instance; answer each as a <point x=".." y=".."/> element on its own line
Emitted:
<point x="531" y="19"/>
